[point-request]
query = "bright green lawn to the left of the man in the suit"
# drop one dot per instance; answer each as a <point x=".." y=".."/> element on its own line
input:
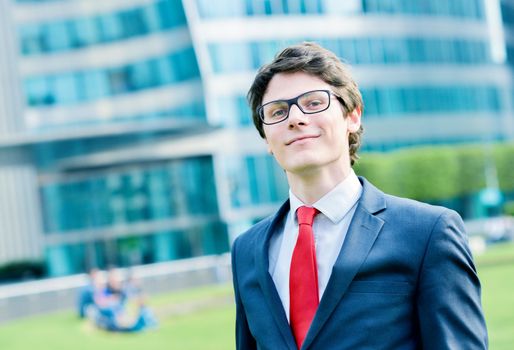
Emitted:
<point x="201" y="318"/>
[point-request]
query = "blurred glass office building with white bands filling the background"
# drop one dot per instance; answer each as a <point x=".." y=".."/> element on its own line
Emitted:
<point x="125" y="137"/>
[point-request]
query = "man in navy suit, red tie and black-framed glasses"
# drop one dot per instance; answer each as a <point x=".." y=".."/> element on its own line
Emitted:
<point x="342" y="265"/>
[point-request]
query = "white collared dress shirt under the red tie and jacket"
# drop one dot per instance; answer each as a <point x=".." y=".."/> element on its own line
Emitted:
<point x="330" y="226"/>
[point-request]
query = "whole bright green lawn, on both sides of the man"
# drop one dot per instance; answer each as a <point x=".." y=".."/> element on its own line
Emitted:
<point x="203" y="318"/>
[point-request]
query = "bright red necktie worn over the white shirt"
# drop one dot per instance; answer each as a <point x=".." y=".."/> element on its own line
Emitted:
<point x="303" y="277"/>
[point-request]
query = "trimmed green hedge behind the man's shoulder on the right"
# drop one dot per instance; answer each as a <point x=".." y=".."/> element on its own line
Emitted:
<point x="438" y="173"/>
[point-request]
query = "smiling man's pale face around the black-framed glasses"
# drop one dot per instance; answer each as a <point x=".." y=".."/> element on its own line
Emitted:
<point x="306" y="143"/>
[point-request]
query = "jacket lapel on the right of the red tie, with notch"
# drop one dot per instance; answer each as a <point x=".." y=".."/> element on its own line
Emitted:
<point x="359" y="240"/>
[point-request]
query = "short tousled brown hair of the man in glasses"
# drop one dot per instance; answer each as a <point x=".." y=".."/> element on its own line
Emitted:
<point x="312" y="59"/>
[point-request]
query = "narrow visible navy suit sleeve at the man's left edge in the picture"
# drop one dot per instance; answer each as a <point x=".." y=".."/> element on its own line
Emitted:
<point x="244" y="338"/>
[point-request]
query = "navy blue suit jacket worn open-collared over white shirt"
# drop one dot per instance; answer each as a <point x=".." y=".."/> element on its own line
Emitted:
<point x="404" y="279"/>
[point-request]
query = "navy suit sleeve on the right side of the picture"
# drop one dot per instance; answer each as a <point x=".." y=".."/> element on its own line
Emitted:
<point x="448" y="299"/>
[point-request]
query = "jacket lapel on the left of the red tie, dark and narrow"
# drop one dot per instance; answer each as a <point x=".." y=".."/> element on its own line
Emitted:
<point x="266" y="282"/>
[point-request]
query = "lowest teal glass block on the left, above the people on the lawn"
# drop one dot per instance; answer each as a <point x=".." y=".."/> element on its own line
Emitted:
<point x="152" y="200"/>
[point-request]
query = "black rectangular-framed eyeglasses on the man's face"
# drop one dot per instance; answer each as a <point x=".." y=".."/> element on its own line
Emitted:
<point x="309" y="102"/>
